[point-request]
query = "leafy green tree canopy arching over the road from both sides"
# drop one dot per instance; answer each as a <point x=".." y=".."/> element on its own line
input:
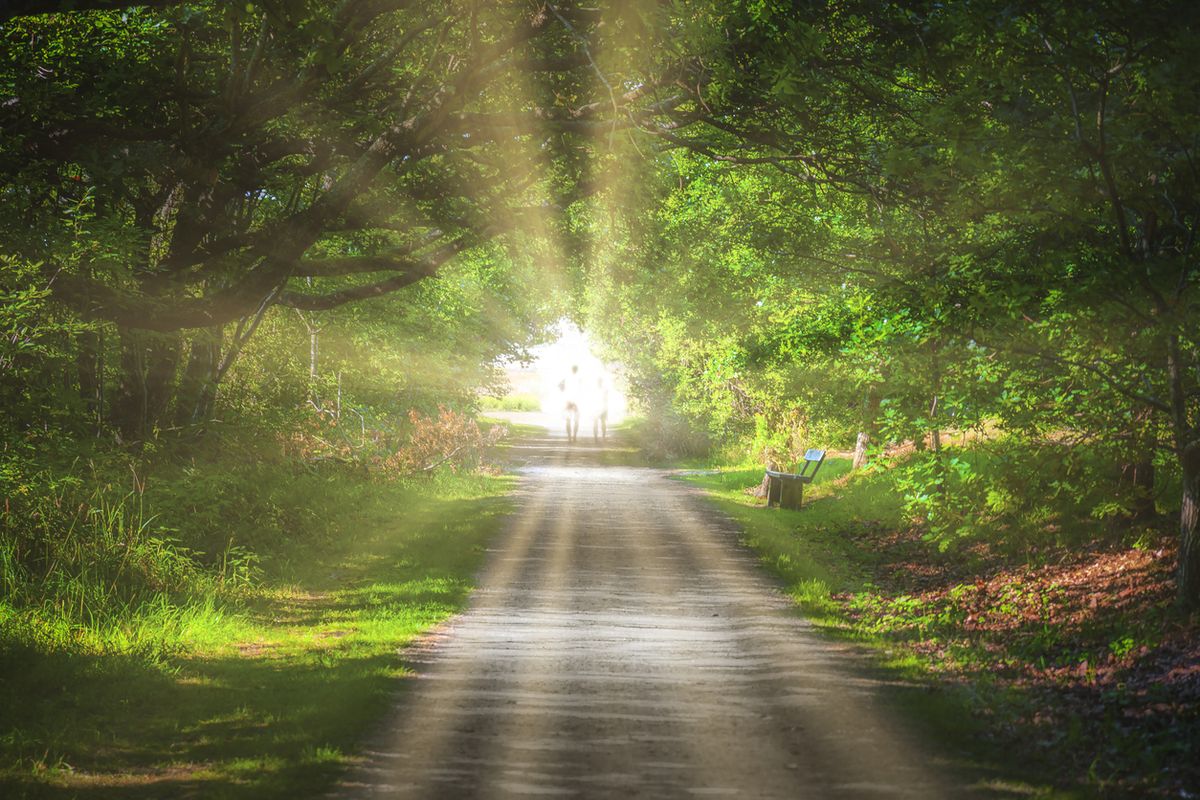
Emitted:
<point x="842" y="220"/>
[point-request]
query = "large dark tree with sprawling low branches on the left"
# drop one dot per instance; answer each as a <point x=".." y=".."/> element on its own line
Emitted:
<point x="227" y="159"/>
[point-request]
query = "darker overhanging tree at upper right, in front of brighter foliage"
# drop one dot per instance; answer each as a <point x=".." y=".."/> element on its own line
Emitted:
<point x="1015" y="179"/>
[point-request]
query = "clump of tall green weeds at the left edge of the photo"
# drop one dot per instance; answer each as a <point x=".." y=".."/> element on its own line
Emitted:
<point x="94" y="572"/>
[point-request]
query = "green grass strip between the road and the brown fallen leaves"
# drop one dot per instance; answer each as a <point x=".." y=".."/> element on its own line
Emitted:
<point x="815" y="556"/>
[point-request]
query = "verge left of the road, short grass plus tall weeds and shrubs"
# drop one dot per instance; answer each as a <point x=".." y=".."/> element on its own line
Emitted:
<point x="251" y="687"/>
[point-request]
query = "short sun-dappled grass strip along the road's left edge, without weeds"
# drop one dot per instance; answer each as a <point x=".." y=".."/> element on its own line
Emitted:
<point x="271" y="700"/>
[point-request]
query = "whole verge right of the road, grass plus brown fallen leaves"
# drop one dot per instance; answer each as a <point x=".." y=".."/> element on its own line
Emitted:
<point x="1066" y="665"/>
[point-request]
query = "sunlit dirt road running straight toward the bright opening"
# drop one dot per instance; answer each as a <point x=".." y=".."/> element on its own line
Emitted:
<point x="623" y="645"/>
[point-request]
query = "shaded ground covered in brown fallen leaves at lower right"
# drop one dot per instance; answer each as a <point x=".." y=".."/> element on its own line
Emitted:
<point x="1109" y="671"/>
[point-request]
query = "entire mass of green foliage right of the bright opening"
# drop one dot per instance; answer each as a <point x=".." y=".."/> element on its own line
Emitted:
<point x="904" y="224"/>
